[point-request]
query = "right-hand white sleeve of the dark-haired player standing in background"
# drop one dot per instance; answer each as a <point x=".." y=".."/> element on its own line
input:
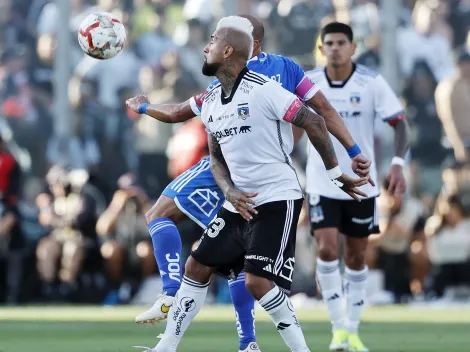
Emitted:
<point x="386" y="103"/>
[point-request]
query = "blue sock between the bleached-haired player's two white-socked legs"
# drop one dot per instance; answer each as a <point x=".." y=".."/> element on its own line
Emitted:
<point x="244" y="304"/>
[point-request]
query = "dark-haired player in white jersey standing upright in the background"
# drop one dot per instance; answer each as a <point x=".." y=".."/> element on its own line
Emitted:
<point x="361" y="97"/>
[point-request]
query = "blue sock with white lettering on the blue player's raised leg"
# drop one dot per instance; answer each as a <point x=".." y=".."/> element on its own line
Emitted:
<point x="166" y="242"/>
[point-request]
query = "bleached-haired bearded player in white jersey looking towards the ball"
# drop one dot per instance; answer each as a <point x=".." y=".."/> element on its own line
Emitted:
<point x="248" y="117"/>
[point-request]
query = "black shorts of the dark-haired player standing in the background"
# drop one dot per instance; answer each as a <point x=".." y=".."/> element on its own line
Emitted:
<point x="351" y="218"/>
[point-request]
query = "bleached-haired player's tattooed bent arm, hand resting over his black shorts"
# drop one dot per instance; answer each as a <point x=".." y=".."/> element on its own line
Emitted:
<point x="241" y="201"/>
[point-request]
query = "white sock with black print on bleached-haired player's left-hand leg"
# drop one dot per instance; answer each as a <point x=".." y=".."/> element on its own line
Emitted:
<point x="188" y="302"/>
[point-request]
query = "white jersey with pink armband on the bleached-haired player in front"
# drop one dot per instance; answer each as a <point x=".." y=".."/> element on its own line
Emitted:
<point x="253" y="130"/>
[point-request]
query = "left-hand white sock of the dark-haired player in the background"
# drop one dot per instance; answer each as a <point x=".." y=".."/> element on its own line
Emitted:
<point x="329" y="279"/>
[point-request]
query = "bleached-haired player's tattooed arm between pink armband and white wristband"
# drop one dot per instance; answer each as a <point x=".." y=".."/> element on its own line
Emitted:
<point x="315" y="127"/>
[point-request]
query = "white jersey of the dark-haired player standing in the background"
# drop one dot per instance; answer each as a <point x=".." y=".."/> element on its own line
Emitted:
<point x="360" y="100"/>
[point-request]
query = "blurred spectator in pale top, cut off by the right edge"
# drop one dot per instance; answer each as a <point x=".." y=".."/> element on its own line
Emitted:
<point x="453" y="105"/>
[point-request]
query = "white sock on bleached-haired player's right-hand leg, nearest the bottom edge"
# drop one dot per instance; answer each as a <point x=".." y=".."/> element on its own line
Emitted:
<point x="282" y="313"/>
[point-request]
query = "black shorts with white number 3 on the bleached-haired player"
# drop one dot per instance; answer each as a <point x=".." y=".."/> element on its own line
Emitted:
<point x="265" y="246"/>
